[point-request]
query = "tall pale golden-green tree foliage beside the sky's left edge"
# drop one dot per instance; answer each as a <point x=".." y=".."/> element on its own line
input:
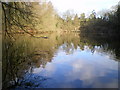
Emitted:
<point x="46" y="16"/>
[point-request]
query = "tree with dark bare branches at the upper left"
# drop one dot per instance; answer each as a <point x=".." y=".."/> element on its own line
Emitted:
<point x="17" y="16"/>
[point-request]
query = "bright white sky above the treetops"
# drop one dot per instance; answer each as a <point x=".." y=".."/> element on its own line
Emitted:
<point x="80" y="6"/>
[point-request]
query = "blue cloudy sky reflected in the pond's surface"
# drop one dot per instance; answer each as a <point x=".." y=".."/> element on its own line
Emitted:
<point x="79" y="69"/>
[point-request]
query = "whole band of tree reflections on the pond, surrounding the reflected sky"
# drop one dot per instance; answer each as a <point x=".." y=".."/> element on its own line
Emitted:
<point x="26" y="53"/>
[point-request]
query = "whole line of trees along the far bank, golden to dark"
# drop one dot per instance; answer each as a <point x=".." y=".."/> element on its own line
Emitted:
<point x="32" y="17"/>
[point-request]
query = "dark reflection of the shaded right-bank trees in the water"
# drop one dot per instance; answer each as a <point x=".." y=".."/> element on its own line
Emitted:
<point x="106" y="44"/>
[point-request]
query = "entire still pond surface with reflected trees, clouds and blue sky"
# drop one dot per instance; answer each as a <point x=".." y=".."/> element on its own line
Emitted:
<point x="63" y="60"/>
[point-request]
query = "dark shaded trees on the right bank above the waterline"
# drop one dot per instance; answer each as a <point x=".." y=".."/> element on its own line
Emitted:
<point x="108" y="24"/>
